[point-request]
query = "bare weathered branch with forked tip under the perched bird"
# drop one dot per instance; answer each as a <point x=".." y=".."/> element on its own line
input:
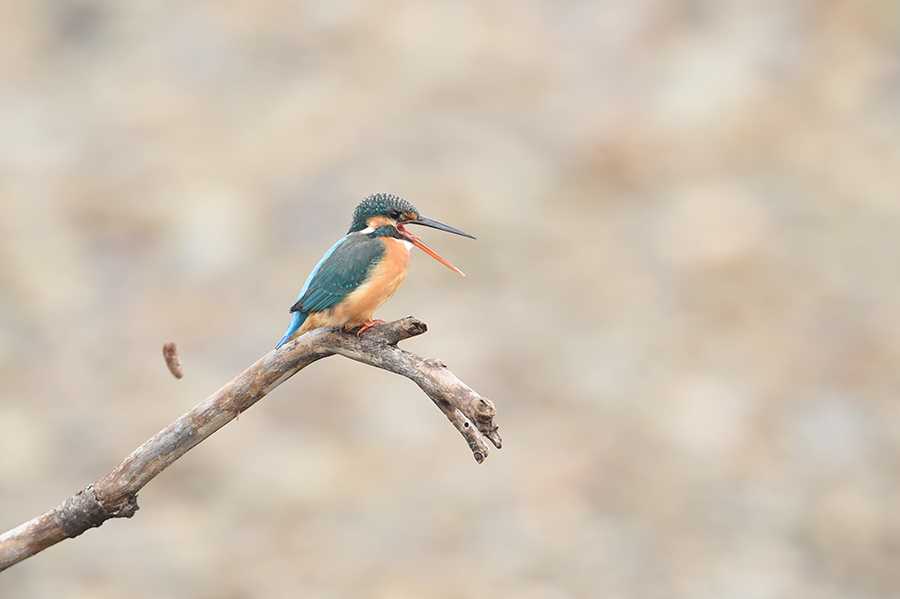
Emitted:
<point x="115" y="495"/>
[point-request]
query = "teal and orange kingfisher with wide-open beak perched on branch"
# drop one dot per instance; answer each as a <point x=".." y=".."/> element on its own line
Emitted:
<point x="364" y="268"/>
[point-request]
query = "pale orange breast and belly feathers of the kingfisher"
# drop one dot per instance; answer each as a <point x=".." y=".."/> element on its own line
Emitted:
<point x="360" y="305"/>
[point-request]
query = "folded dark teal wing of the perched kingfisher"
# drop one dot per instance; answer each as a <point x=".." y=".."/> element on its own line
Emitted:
<point x="344" y="268"/>
